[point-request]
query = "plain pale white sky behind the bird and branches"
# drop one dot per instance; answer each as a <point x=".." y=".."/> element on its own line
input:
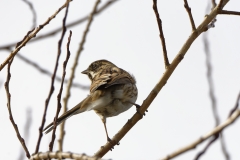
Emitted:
<point x="127" y="35"/>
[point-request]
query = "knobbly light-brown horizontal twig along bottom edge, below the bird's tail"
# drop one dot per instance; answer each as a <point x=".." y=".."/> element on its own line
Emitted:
<point x="62" y="155"/>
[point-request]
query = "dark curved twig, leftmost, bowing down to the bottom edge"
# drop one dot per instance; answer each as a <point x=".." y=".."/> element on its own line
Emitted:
<point x="22" y="141"/>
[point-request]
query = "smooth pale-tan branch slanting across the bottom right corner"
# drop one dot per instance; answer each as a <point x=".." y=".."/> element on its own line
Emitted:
<point x="215" y="131"/>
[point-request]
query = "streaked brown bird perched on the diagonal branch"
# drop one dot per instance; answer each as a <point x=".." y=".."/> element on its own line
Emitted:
<point x="112" y="92"/>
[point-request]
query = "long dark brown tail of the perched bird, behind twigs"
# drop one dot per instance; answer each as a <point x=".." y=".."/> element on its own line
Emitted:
<point x="63" y="117"/>
